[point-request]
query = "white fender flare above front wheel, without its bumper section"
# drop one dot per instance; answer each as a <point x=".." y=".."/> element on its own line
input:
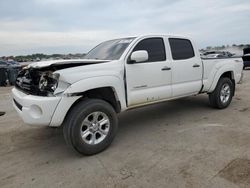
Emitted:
<point x="98" y="82"/>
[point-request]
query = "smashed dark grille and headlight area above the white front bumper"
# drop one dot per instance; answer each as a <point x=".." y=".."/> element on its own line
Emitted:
<point x="37" y="82"/>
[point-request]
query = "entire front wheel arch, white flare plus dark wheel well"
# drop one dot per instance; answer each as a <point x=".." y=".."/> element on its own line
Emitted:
<point x="107" y="88"/>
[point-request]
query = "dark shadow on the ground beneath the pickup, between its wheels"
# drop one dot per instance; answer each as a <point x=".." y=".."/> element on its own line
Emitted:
<point x="165" y="113"/>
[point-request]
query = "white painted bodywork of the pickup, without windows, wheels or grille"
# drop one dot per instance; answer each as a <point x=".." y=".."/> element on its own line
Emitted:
<point x="146" y="83"/>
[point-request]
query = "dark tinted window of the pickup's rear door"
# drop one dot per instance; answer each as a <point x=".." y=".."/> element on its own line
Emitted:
<point x="181" y="49"/>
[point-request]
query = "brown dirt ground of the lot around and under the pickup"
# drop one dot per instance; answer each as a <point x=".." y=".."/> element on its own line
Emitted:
<point x="182" y="143"/>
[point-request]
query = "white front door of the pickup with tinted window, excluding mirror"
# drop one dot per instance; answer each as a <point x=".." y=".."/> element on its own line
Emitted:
<point x="150" y="80"/>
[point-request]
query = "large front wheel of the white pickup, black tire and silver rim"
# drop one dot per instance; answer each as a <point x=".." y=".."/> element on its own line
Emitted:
<point x="90" y="126"/>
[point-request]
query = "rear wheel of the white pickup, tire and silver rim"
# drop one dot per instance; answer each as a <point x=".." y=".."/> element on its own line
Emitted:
<point x="222" y="96"/>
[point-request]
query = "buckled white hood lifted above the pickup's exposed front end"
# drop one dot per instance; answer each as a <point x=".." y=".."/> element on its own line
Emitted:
<point x="61" y="64"/>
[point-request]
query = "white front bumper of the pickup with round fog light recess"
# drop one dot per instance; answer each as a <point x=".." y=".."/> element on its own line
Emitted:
<point x="34" y="110"/>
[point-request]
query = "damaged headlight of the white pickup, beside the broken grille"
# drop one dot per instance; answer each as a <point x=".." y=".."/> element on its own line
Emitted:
<point x="48" y="82"/>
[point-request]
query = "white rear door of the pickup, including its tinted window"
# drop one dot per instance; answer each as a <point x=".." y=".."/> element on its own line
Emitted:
<point x="186" y="68"/>
